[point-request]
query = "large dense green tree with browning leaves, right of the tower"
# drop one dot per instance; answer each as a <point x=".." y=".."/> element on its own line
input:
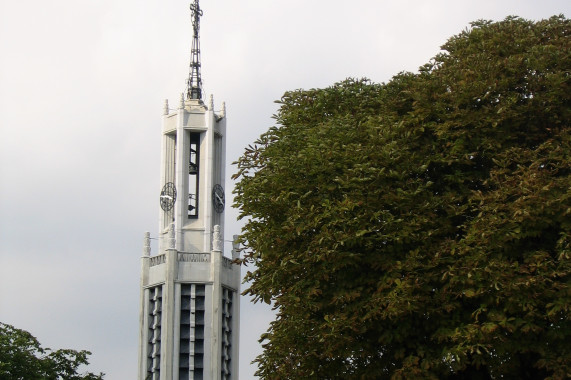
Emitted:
<point x="420" y="228"/>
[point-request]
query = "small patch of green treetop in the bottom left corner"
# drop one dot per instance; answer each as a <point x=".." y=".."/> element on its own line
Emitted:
<point x="23" y="358"/>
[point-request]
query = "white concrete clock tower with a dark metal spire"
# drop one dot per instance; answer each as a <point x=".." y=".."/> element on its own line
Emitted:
<point x="189" y="313"/>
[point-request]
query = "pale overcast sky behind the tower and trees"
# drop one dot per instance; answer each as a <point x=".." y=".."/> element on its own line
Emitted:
<point x="82" y="83"/>
